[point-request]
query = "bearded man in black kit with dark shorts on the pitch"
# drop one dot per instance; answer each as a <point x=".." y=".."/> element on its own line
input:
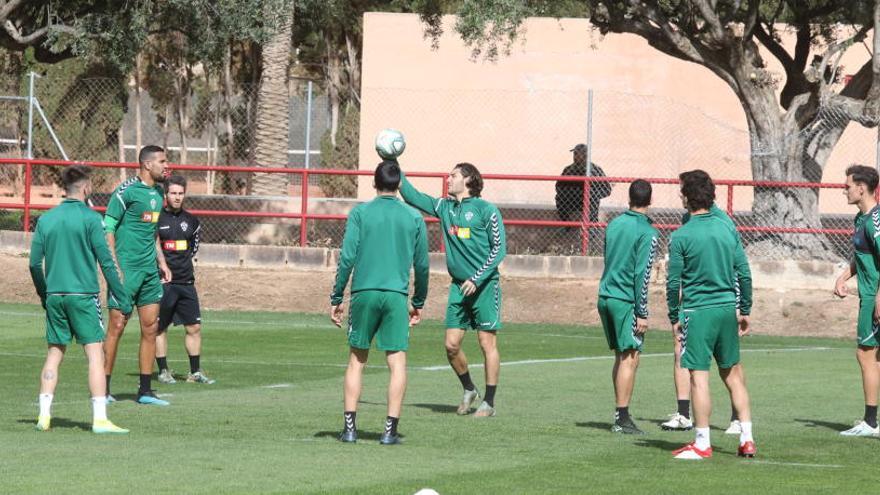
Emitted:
<point x="179" y="233"/>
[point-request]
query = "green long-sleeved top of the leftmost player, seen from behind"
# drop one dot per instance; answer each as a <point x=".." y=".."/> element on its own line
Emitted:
<point x="71" y="237"/>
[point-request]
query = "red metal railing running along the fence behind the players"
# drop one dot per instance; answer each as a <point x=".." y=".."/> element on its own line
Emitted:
<point x="304" y="215"/>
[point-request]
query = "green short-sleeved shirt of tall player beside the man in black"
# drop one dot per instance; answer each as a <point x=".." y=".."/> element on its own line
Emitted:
<point x="136" y="207"/>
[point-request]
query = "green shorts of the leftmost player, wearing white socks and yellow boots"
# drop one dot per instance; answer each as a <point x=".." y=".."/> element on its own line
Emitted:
<point x="74" y="315"/>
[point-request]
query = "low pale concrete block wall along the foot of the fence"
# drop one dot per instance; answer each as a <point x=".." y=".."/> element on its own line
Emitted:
<point x="781" y="275"/>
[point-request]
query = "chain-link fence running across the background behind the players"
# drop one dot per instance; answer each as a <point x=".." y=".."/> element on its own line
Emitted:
<point x="502" y="132"/>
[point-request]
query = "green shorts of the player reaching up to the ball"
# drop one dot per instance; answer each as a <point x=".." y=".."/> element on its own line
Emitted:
<point x="479" y="311"/>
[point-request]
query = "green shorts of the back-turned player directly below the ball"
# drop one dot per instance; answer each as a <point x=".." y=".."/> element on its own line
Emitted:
<point x="381" y="314"/>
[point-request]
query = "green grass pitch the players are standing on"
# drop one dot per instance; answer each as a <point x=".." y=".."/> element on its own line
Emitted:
<point x="551" y="434"/>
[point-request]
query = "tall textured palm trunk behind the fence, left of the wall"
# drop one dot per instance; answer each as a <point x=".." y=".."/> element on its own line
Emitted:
<point x="273" y="117"/>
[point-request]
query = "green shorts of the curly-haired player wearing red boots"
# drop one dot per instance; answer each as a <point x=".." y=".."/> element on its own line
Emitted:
<point x="709" y="332"/>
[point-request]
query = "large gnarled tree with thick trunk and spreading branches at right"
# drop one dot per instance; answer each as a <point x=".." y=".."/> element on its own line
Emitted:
<point x="792" y="134"/>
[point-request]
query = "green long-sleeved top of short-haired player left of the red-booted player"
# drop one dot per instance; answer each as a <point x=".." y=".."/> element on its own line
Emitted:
<point x="630" y="249"/>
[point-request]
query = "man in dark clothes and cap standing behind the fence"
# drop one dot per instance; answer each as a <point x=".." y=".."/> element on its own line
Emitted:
<point x="570" y="194"/>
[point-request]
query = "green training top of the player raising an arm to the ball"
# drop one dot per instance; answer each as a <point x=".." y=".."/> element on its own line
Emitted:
<point x="473" y="233"/>
